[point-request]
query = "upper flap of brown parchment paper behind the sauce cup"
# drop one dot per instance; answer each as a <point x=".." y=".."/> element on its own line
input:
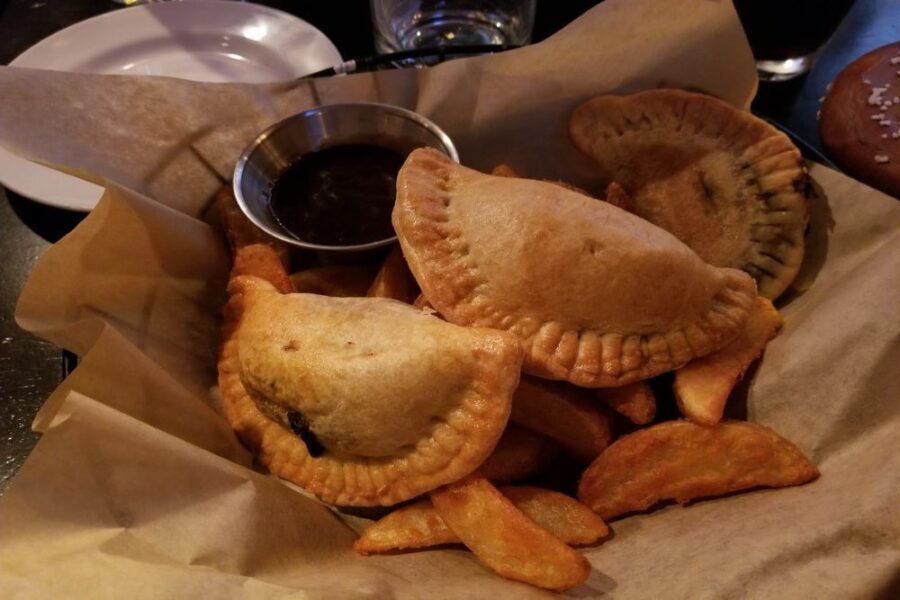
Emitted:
<point x="177" y="141"/>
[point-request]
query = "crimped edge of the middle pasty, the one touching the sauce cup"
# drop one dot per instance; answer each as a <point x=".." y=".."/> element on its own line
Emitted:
<point x="588" y="357"/>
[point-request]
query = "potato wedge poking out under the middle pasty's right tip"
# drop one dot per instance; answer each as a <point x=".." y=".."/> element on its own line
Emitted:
<point x="702" y="386"/>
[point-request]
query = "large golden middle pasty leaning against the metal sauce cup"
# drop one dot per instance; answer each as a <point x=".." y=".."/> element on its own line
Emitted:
<point x="598" y="296"/>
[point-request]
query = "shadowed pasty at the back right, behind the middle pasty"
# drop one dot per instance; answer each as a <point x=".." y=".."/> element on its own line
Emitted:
<point x="724" y="182"/>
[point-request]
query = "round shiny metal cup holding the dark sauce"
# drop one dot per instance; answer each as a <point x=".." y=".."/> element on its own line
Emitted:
<point x="267" y="158"/>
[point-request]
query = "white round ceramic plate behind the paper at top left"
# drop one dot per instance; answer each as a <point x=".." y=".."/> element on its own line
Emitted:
<point x="202" y="40"/>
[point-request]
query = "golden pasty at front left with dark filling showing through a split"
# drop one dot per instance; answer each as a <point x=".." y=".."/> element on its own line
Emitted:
<point x="362" y="401"/>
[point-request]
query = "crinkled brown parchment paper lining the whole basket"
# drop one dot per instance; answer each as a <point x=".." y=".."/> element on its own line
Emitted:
<point x="138" y="489"/>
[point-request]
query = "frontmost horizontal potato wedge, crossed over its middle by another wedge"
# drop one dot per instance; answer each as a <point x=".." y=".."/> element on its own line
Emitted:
<point x="419" y="525"/>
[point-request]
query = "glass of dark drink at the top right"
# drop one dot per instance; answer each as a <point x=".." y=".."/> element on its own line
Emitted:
<point x="786" y="34"/>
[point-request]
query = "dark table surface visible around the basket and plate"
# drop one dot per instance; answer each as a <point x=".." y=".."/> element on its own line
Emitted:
<point x="30" y="369"/>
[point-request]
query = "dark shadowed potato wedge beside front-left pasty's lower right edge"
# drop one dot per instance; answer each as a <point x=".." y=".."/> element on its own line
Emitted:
<point x="520" y="453"/>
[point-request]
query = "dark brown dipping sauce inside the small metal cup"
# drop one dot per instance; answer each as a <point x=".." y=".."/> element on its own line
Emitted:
<point x="339" y="196"/>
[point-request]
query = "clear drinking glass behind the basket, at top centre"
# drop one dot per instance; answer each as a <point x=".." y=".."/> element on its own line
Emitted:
<point x="412" y="24"/>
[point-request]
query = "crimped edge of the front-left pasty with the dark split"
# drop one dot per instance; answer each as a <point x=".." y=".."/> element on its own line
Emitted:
<point x="456" y="447"/>
